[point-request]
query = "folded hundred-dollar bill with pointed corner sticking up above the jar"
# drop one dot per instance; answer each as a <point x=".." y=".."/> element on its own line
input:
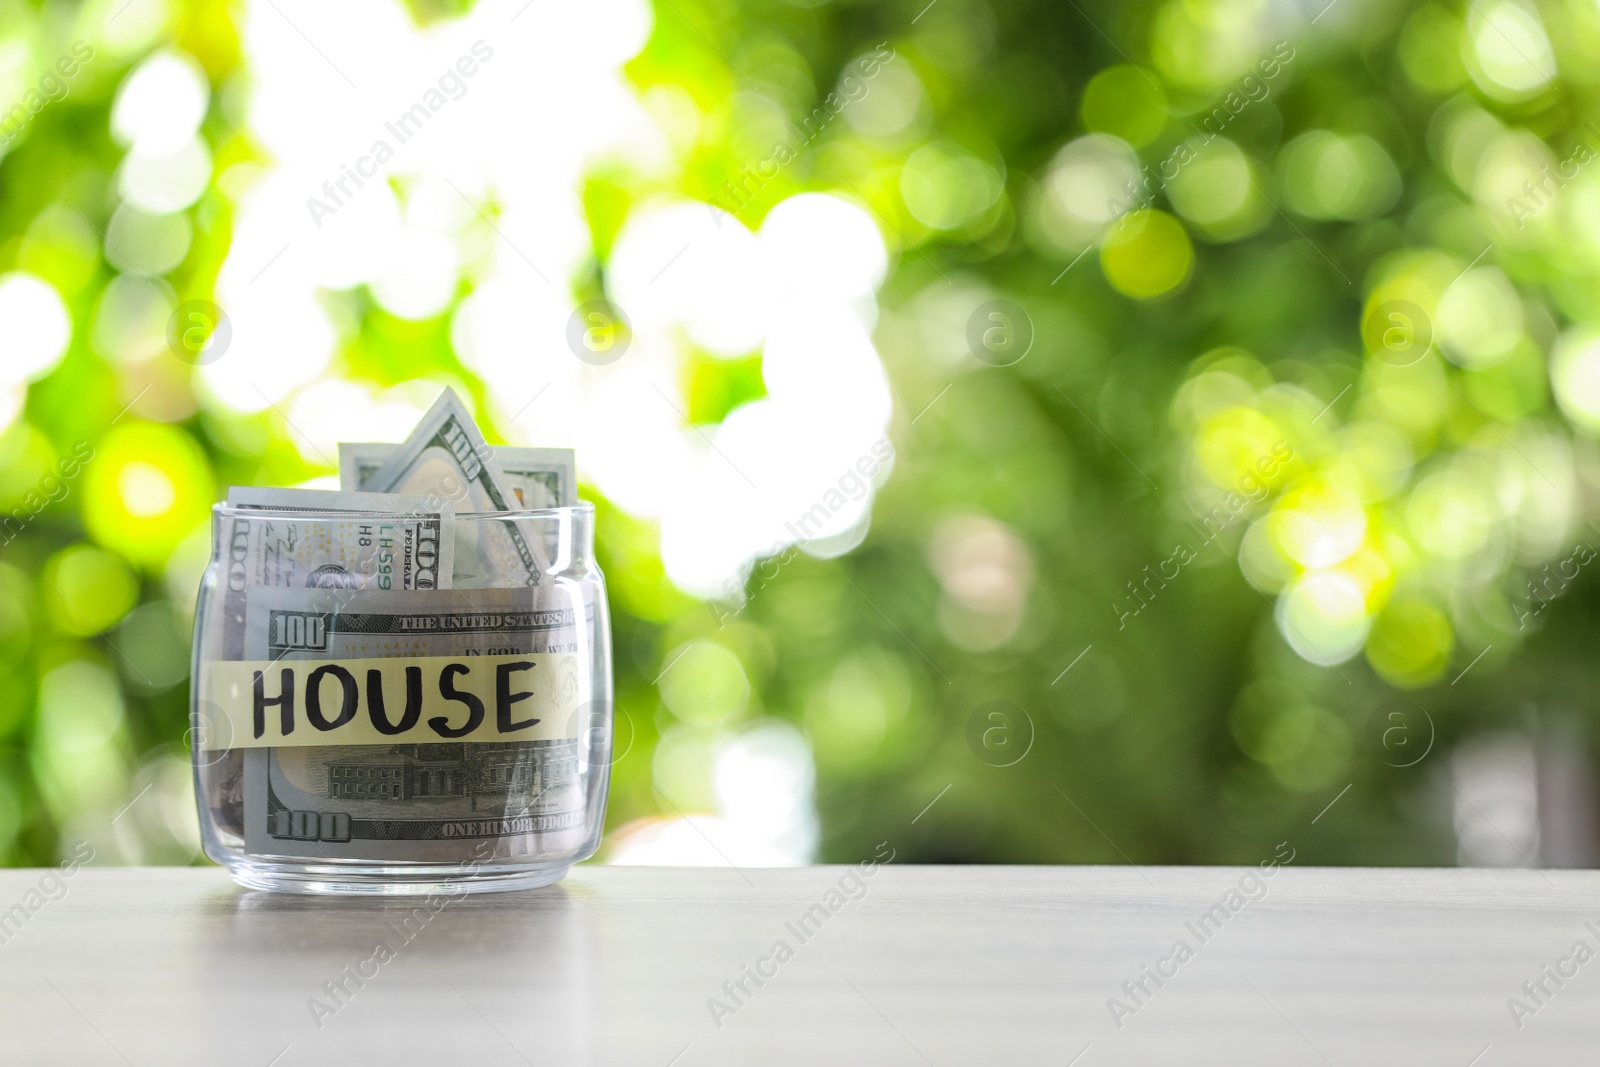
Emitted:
<point x="447" y="454"/>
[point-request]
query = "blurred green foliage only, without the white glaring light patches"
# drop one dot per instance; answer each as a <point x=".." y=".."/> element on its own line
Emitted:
<point x="1367" y="239"/>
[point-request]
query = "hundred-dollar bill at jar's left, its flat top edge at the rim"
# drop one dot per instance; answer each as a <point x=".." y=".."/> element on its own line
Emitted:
<point x="369" y="541"/>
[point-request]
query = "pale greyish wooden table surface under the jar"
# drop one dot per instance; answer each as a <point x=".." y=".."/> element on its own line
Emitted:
<point x="914" y="965"/>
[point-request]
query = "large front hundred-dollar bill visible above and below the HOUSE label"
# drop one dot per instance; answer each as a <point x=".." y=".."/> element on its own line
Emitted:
<point x="423" y="802"/>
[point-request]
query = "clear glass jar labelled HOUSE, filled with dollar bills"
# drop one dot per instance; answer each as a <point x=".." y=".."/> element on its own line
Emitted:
<point x="386" y="705"/>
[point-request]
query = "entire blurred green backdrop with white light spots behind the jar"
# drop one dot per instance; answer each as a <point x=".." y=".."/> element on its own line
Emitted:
<point x="1239" y="364"/>
